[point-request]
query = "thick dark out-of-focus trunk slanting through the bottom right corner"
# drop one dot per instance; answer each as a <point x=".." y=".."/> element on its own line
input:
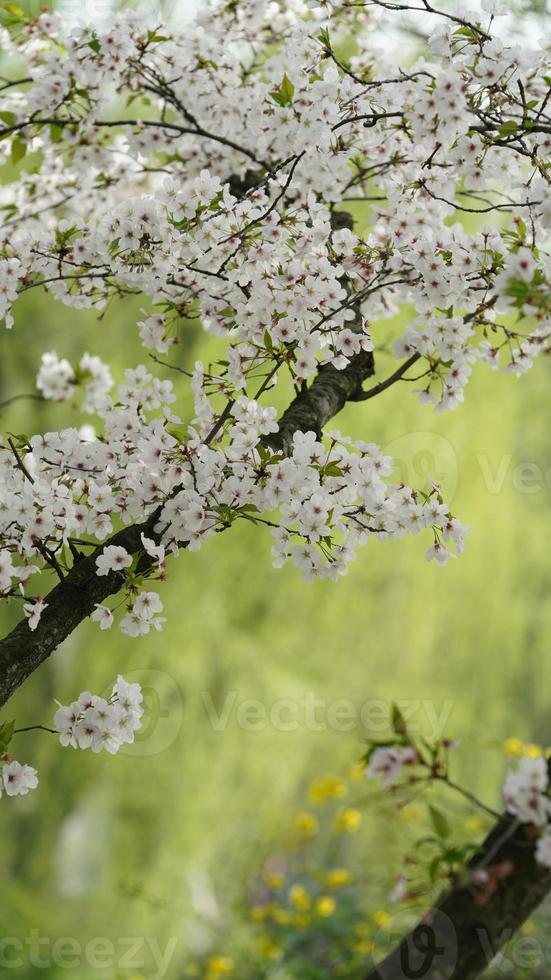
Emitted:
<point x="460" y="936"/>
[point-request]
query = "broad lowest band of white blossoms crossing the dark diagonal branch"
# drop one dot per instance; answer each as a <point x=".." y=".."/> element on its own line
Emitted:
<point x="321" y="502"/>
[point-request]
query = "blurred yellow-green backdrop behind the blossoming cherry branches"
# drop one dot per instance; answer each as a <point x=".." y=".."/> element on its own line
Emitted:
<point x="168" y="839"/>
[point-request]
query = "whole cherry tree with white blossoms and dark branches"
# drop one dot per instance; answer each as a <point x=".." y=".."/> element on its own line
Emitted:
<point x="215" y="172"/>
